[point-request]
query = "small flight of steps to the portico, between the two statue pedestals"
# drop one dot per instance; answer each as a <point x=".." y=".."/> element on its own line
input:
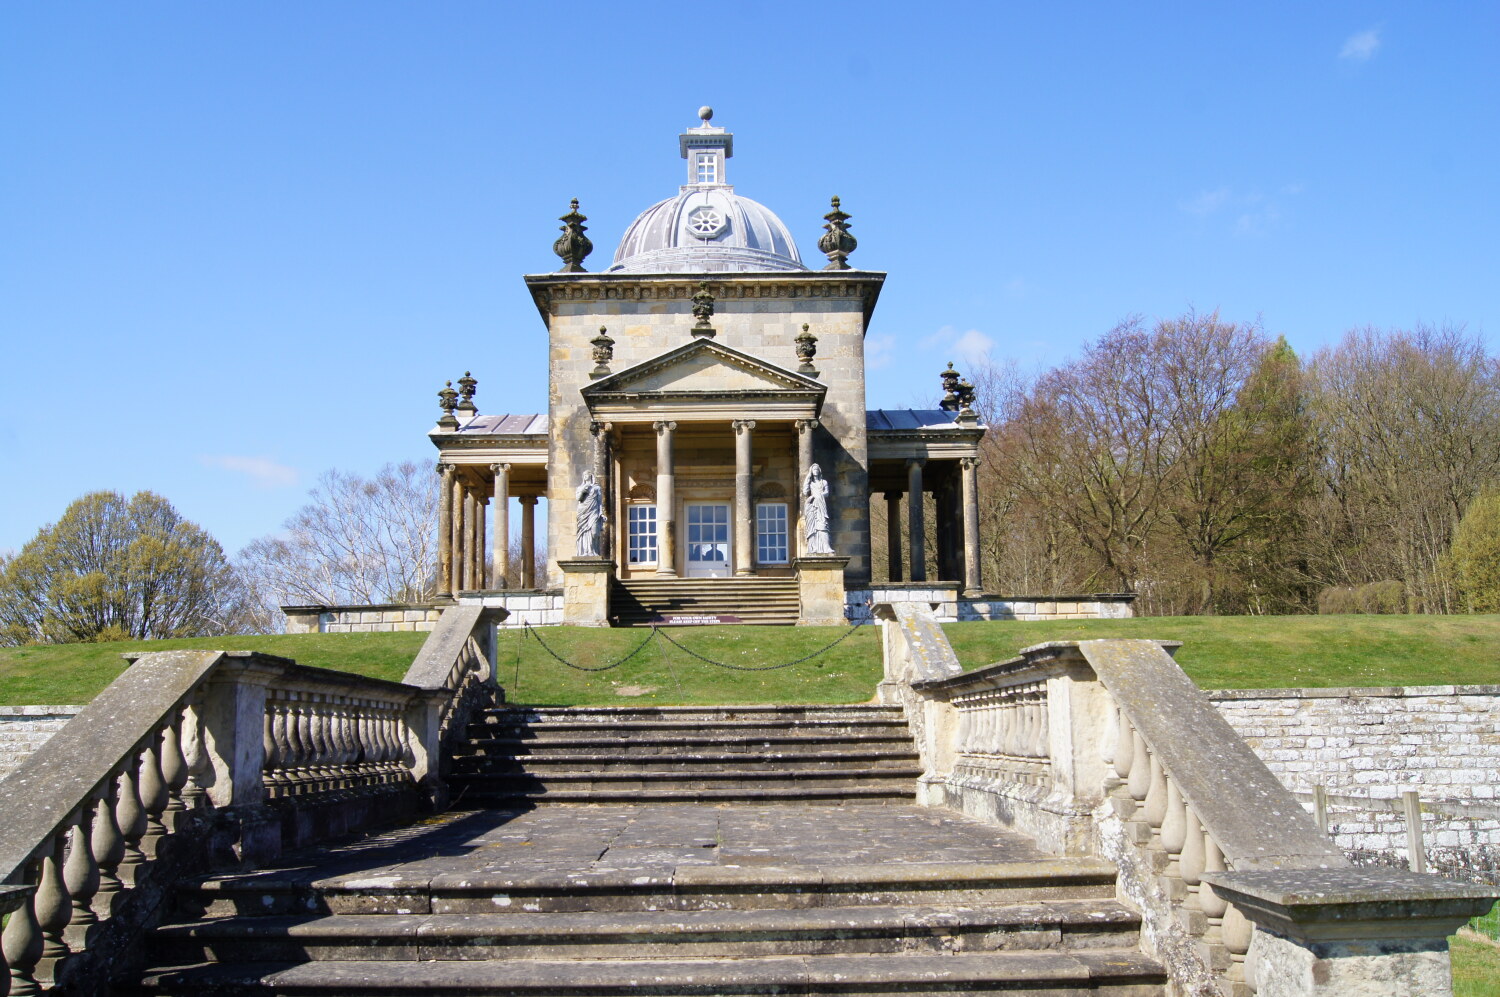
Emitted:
<point x="640" y="602"/>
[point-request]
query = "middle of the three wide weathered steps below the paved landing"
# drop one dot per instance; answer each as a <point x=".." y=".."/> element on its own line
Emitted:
<point x="652" y="935"/>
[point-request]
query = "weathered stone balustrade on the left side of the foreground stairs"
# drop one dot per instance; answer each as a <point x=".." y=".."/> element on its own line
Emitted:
<point x="202" y="759"/>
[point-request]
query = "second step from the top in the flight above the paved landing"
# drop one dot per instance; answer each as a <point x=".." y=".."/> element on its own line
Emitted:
<point x="749" y="744"/>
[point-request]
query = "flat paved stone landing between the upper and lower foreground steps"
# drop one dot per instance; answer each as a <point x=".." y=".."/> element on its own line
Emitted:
<point x="623" y="842"/>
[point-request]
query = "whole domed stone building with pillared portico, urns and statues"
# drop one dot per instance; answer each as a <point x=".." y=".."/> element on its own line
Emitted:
<point x="700" y="379"/>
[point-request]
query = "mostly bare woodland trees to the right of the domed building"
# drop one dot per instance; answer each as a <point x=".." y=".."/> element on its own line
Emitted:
<point x="1211" y="470"/>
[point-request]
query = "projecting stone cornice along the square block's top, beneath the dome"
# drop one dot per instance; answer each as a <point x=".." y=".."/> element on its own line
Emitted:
<point x="550" y="290"/>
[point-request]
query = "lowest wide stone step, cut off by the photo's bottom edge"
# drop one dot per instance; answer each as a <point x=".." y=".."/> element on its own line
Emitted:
<point x="1103" y="972"/>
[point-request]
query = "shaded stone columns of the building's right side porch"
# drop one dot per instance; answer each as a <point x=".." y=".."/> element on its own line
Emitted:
<point x="958" y="527"/>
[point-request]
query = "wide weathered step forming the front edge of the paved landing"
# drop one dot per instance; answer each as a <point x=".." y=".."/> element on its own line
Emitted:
<point x="413" y="891"/>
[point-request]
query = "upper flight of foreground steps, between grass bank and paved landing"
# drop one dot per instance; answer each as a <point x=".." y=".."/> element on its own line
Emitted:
<point x="686" y="755"/>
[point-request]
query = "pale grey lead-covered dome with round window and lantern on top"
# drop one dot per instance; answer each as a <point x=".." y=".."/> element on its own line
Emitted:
<point x="707" y="227"/>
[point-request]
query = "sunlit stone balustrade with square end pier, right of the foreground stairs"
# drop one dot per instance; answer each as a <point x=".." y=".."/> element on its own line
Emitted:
<point x="1108" y="749"/>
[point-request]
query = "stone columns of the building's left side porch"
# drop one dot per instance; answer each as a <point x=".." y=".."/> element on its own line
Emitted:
<point x="463" y="507"/>
